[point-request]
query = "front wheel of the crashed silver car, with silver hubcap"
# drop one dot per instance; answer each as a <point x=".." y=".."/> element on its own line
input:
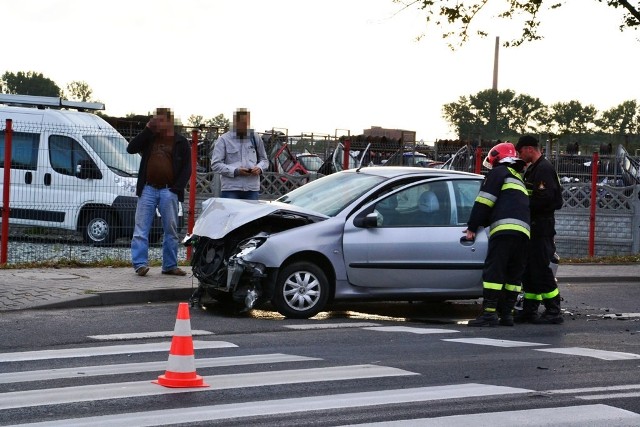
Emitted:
<point x="302" y="290"/>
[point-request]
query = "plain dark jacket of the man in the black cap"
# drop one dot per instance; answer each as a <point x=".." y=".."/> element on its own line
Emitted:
<point x="545" y="191"/>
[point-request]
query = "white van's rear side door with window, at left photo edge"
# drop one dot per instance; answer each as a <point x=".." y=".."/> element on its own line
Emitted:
<point x="25" y="208"/>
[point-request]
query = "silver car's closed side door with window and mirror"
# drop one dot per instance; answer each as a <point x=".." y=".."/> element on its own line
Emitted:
<point x="416" y="245"/>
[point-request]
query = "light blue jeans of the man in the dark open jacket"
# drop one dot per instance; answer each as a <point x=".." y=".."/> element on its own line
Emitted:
<point x="167" y="203"/>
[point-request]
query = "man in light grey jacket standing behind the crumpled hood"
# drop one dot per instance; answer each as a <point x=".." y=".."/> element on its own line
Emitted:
<point x="240" y="158"/>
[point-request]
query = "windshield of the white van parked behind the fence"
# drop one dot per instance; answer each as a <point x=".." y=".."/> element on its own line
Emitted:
<point x="112" y="149"/>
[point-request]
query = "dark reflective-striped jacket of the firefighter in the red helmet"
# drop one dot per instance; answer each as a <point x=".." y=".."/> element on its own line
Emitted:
<point x="502" y="203"/>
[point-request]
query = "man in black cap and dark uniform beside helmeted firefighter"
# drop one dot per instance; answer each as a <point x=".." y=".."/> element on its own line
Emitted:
<point x="545" y="197"/>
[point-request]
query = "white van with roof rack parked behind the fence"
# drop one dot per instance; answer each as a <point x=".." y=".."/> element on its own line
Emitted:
<point x="69" y="169"/>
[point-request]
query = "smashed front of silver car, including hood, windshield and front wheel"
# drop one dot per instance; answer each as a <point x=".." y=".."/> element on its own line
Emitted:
<point x="286" y="251"/>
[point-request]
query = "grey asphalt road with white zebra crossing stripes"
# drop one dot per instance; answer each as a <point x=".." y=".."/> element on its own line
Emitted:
<point x="365" y="363"/>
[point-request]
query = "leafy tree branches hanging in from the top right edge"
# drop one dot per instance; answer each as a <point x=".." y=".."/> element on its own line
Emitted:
<point x="455" y="18"/>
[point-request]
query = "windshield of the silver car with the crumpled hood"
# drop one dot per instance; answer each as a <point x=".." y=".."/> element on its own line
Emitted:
<point x="331" y="194"/>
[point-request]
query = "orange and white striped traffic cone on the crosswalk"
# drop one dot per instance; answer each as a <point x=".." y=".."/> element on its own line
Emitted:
<point x="181" y="369"/>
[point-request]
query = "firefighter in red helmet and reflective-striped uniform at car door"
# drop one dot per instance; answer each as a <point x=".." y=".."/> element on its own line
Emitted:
<point x="502" y="205"/>
